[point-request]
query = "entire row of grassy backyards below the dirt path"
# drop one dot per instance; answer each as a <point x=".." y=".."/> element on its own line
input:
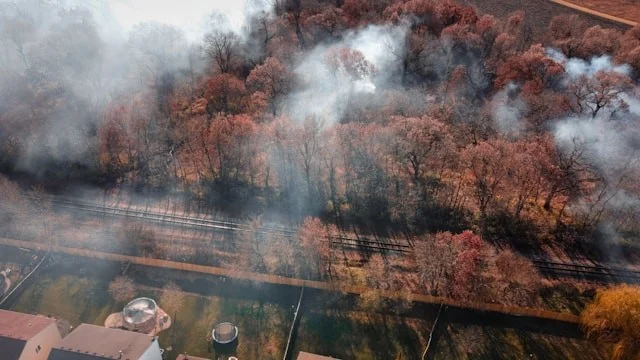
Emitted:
<point x="78" y="292"/>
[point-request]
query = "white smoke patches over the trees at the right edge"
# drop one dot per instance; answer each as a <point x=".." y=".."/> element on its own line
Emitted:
<point x="609" y="145"/>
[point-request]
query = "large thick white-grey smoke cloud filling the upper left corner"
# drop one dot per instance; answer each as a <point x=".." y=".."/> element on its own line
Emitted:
<point x="73" y="57"/>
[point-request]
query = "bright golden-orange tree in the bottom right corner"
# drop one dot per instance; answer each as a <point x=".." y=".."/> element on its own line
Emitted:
<point x="613" y="319"/>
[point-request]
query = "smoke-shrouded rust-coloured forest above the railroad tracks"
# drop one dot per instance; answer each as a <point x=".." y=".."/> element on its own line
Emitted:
<point x="388" y="116"/>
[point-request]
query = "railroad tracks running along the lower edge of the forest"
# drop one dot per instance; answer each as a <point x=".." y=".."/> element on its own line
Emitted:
<point x="548" y="268"/>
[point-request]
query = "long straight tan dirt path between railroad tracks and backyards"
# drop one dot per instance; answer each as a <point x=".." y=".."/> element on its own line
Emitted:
<point x="280" y="280"/>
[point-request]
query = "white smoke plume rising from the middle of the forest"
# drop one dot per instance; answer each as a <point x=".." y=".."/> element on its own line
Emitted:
<point x="326" y="90"/>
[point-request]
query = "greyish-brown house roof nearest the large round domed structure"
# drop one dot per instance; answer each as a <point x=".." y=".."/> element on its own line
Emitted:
<point x="95" y="342"/>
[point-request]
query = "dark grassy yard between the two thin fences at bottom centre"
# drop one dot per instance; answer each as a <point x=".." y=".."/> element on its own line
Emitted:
<point x="360" y="336"/>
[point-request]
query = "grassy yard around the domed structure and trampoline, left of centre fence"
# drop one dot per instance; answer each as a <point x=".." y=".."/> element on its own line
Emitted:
<point x="79" y="293"/>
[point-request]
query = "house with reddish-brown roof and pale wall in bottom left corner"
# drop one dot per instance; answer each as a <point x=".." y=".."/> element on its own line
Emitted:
<point x="27" y="337"/>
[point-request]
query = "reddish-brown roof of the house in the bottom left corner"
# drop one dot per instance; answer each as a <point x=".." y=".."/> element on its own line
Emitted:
<point x="21" y="326"/>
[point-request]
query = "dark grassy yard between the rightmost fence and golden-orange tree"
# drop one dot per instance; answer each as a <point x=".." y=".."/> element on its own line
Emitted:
<point x="489" y="343"/>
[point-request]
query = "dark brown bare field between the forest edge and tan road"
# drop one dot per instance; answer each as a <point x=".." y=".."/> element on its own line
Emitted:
<point x="538" y="13"/>
